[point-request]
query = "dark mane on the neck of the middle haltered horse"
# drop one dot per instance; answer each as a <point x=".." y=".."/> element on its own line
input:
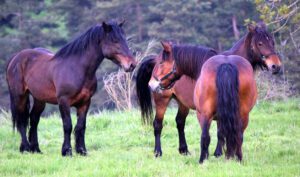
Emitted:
<point x="190" y="58"/>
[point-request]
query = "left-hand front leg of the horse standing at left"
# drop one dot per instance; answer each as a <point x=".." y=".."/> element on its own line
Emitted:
<point x="64" y="109"/>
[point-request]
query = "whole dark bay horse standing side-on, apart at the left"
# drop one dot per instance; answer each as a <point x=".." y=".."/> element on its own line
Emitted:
<point x="66" y="78"/>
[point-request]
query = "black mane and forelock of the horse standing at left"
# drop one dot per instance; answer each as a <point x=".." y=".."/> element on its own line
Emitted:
<point x="92" y="37"/>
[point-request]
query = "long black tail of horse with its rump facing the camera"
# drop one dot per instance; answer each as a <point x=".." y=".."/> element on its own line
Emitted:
<point x="228" y="106"/>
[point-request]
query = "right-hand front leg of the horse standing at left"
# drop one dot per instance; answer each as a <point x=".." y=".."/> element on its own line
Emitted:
<point x="80" y="128"/>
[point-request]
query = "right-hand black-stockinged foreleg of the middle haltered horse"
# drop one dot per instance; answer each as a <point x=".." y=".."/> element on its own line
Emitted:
<point x="180" y="121"/>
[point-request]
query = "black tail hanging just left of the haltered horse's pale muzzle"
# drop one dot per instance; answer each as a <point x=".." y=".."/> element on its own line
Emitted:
<point x="142" y="89"/>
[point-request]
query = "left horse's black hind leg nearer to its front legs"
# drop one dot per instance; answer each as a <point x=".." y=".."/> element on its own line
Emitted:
<point x="37" y="109"/>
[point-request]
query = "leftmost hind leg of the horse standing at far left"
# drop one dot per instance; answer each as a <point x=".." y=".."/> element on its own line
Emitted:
<point x="20" y="106"/>
